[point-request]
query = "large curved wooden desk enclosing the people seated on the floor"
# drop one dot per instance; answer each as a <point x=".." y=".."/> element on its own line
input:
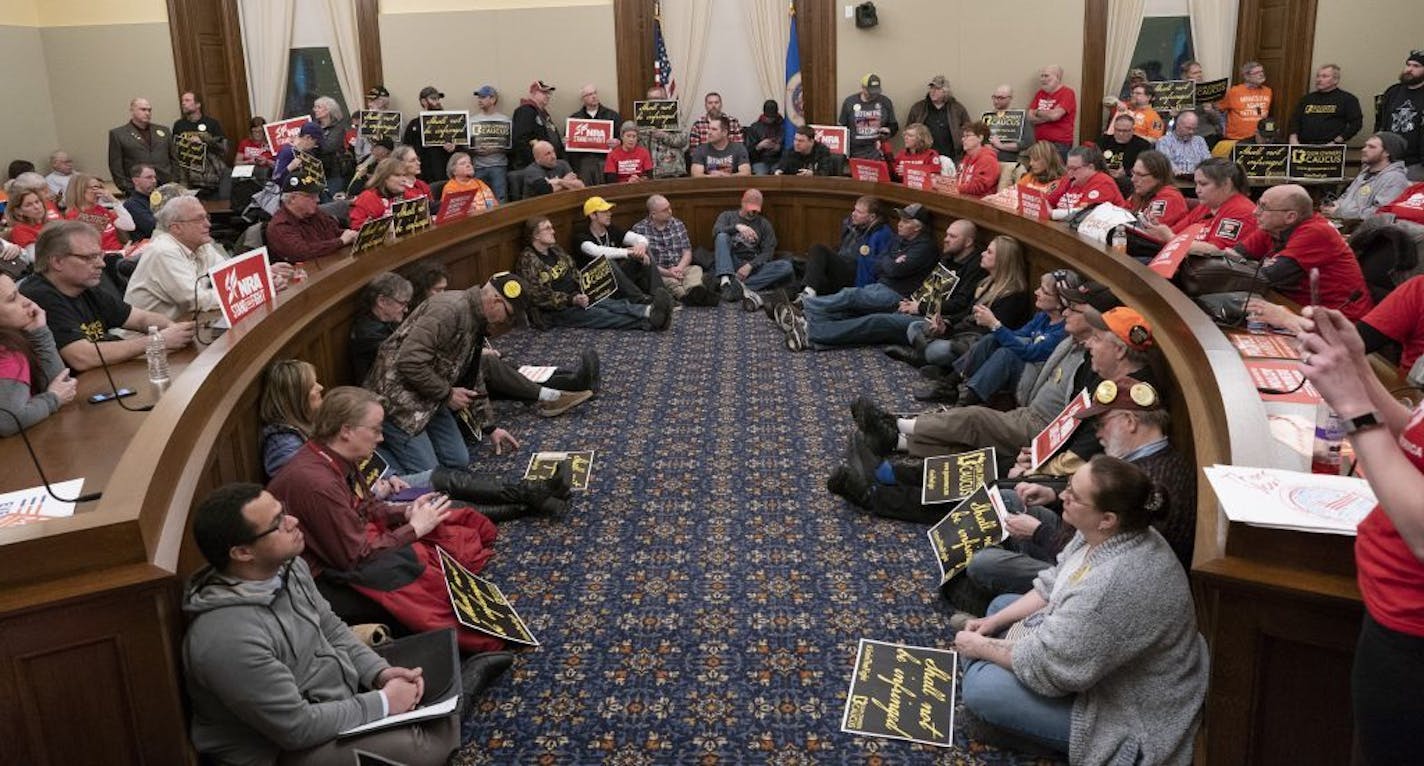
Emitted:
<point x="108" y="580"/>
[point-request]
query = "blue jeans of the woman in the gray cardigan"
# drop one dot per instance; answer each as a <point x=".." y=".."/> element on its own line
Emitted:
<point x="1000" y="700"/>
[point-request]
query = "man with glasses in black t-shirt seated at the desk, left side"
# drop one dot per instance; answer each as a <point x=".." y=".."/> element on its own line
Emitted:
<point x="69" y="270"/>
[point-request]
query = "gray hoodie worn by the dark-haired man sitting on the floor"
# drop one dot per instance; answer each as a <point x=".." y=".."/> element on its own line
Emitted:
<point x="270" y="667"/>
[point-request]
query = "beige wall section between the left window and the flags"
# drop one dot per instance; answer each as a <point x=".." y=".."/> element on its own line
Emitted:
<point x="458" y="52"/>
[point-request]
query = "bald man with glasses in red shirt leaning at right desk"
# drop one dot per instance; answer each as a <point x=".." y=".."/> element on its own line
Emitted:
<point x="1294" y="240"/>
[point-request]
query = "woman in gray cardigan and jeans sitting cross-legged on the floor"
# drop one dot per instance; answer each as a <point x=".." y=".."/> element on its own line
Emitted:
<point x="1107" y="666"/>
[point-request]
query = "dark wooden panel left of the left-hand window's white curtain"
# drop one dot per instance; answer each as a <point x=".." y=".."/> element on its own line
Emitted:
<point x="207" y="39"/>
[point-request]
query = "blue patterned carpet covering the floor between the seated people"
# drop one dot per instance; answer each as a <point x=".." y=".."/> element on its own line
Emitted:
<point x="703" y="602"/>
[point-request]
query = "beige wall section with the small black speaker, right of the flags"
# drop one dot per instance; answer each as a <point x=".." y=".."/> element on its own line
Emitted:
<point x="976" y="45"/>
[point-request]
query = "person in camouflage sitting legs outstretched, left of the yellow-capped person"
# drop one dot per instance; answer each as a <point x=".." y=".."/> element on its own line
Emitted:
<point x="557" y="293"/>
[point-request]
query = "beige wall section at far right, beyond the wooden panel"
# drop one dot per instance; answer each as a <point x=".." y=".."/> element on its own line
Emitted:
<point x="1371" y="53"/>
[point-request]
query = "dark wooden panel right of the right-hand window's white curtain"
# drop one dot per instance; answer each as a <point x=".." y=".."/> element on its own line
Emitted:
<point x="1279" y="35"/>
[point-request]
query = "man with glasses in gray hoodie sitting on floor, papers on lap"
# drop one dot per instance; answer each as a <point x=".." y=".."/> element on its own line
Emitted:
<point x="274" y="674"/>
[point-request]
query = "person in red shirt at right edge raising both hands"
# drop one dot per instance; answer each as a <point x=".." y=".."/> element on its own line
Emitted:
<point x="1389" y="549"/>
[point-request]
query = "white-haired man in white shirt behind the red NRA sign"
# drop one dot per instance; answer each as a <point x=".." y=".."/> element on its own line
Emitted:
<point x="170" y="278"/>
